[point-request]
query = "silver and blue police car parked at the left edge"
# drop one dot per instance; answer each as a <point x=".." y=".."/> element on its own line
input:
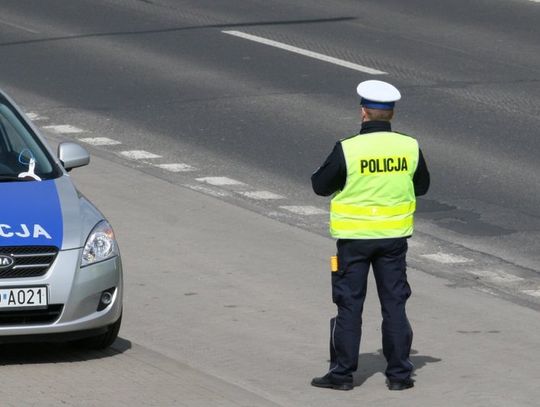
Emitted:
<point x="60" y="268"/>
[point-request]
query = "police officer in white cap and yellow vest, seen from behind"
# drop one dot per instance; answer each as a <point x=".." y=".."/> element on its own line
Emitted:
<point x="374" y="177"/>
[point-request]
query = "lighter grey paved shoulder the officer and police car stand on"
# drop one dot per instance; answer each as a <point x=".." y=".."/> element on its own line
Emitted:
<point x="246" y="323"/>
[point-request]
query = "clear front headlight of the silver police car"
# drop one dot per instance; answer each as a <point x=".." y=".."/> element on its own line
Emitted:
<point x="100" y="245"/>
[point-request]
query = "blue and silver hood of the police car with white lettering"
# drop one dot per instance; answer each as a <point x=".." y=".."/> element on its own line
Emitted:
<point x="45" y="213"/>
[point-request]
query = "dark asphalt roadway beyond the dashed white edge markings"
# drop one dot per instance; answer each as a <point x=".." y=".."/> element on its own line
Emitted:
<point x="162" y="75"/>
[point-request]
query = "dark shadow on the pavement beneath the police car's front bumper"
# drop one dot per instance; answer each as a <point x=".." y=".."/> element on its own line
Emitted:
<point x="36" y="353"/>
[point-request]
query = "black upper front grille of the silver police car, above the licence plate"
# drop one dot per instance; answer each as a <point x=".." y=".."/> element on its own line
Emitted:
<point x="29" y="261"/>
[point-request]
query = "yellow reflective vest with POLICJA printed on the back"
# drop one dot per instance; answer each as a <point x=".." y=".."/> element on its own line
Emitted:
<point x="378" y="198"/>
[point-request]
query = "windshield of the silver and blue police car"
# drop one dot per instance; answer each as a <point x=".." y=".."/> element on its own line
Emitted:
<point x="22" y="155"/>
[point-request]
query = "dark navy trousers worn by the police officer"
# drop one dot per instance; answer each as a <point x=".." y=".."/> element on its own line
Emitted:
<point x="349" y="285"/>
